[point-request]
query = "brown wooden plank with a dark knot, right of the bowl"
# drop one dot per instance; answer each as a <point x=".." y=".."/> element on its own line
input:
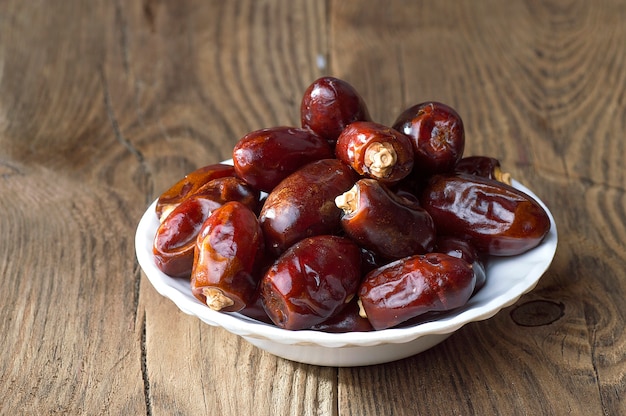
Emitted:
<point x="524" y="95"/>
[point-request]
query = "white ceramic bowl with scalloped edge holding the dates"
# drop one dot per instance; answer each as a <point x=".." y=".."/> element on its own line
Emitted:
<point x="507" y="280"/>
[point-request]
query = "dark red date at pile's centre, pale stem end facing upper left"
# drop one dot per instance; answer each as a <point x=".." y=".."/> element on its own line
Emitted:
<point x="379" y="221"/>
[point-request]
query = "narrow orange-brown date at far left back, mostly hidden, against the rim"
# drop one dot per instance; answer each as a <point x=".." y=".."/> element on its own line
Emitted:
<point x="188" y="185"/>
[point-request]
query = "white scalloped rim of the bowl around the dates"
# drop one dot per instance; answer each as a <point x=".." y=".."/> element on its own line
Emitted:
<point x="538" y="259"/>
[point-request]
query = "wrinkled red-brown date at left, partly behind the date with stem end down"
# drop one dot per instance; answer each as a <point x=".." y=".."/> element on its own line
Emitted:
<point x="175" y="239"/>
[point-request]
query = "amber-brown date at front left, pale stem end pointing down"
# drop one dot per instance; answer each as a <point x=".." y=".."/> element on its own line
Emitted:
<point x="229" y="250"/>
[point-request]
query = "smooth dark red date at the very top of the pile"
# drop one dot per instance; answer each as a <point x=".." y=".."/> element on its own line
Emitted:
<point x="329" y="105"/>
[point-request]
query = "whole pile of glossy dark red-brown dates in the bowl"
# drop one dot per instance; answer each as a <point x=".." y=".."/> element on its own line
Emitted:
<point x="344" y="224"/>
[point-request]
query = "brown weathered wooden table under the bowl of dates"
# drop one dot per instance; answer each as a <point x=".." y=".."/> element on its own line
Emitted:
<point x="104" y="104"/>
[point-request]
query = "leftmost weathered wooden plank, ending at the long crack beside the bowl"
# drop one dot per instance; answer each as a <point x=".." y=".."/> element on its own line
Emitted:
<point x="68" y="276"/>
